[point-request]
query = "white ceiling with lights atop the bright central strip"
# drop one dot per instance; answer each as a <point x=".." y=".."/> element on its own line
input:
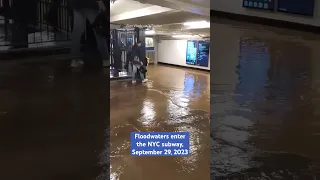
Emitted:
<point x="168" y="16"/>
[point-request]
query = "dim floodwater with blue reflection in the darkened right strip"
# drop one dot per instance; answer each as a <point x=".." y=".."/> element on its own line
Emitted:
<point x="265" y="103"/>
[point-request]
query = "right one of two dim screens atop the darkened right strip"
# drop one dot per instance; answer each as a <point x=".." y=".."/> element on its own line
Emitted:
<point x="301" y="7"/>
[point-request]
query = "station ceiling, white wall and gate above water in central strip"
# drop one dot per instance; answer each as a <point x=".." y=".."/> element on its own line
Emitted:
<point x="156" y="26"/>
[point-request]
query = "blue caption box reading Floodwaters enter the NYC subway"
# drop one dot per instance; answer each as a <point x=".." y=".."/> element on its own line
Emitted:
<point x="160" y="143"/>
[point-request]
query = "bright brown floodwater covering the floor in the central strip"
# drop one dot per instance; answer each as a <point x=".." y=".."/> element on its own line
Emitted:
<point x="173" y="100"/>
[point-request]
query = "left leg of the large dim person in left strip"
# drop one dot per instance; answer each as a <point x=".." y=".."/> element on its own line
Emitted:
<point x="79" y="23"/>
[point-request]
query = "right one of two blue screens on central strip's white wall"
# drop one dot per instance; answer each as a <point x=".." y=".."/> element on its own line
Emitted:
<point x="203" y="53"/>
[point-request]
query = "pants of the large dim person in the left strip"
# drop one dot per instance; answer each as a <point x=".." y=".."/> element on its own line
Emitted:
<point x="79" y="27"/>
